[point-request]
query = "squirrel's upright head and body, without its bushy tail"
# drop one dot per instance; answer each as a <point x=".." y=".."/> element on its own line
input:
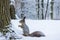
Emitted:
<point x="24" y="27"/>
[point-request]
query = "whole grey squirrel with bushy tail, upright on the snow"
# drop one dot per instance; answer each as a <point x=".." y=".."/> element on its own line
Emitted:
<point x="26" y="30"/>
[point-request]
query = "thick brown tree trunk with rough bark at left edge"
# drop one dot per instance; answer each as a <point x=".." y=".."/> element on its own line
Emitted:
<point x="4" y="14"/>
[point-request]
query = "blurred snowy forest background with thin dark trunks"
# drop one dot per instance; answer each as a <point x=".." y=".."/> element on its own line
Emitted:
<point x="38" y="9"/>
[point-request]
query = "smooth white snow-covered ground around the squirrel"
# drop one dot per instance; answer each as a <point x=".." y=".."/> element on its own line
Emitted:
<point x="49" y="27"/>
